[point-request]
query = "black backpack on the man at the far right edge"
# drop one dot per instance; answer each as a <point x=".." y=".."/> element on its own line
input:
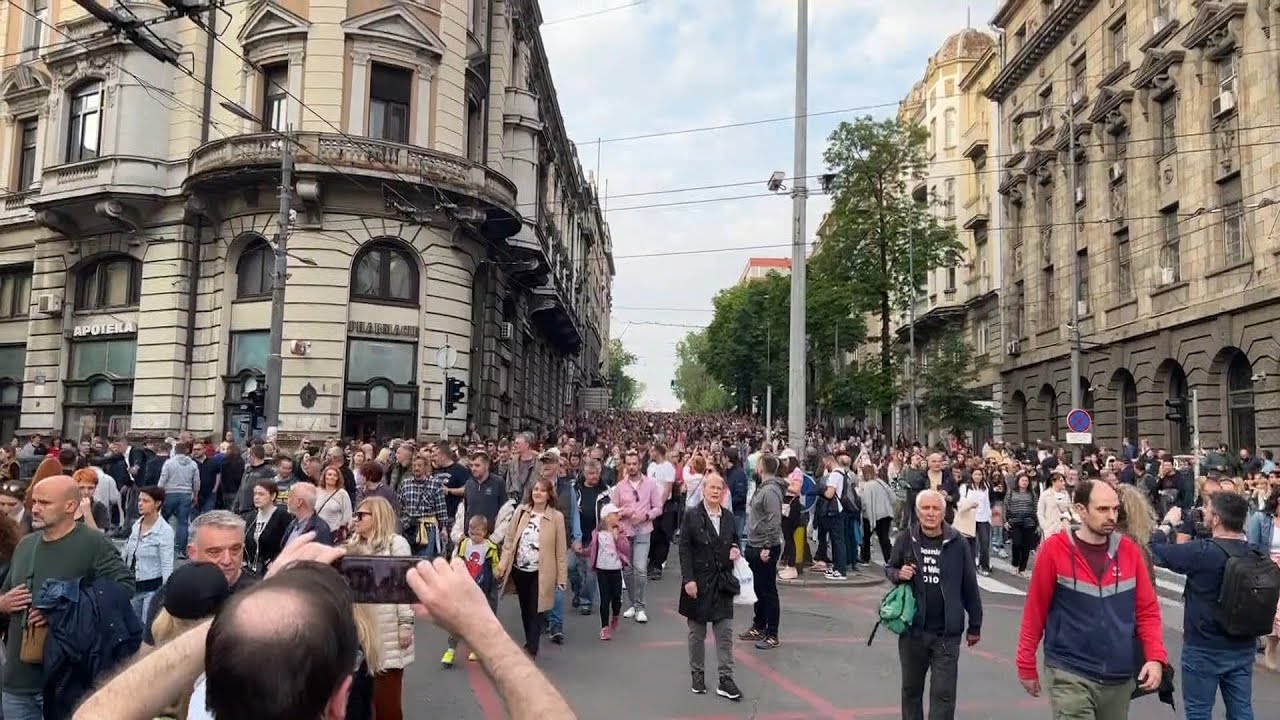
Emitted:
<point x="1251" y="590"/>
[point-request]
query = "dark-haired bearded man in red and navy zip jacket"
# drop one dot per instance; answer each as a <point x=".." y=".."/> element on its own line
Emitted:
<point x="1090" y="595"/>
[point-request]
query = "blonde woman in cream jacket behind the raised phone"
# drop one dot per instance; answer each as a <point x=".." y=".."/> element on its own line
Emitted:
<point x="376" y="534"/>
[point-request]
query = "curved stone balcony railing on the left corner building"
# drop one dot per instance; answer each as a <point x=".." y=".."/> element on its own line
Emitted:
<point x="323" y="152"/>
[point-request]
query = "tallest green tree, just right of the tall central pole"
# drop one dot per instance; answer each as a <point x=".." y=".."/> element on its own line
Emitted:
<point x="879" y="239"/>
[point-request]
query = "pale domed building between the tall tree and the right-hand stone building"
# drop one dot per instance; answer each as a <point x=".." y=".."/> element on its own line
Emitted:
<point x="959" y="185"/>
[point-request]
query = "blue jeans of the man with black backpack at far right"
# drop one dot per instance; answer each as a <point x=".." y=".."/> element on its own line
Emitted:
<point x="1206" y="672"/>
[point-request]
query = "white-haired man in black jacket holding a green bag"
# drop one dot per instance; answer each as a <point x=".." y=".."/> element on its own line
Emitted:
<point x="940" y="568"/>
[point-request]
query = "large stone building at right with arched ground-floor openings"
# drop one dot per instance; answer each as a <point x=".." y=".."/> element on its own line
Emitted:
<point x="1173" y="110"/>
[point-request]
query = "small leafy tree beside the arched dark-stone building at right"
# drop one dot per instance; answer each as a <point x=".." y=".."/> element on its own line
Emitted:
<point x="949" y="402"/>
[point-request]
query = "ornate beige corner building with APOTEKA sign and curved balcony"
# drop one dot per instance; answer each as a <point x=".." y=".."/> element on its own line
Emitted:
<point x="438" y="202"/>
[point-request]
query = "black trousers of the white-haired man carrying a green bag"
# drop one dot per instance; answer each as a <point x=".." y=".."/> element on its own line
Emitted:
<point x="939" y="658"/>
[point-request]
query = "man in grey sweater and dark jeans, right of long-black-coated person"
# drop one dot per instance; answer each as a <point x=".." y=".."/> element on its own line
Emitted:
<point x="764" y="548"/>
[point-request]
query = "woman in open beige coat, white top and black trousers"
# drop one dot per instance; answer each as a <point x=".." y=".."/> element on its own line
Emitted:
<point x="533" y="562"/>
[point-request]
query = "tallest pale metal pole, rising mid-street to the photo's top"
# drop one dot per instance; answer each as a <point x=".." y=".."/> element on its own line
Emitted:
<point x="799" y="197"/>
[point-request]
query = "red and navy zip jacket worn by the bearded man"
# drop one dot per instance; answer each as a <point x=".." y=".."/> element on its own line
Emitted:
<point x="1087" y="626"/>
